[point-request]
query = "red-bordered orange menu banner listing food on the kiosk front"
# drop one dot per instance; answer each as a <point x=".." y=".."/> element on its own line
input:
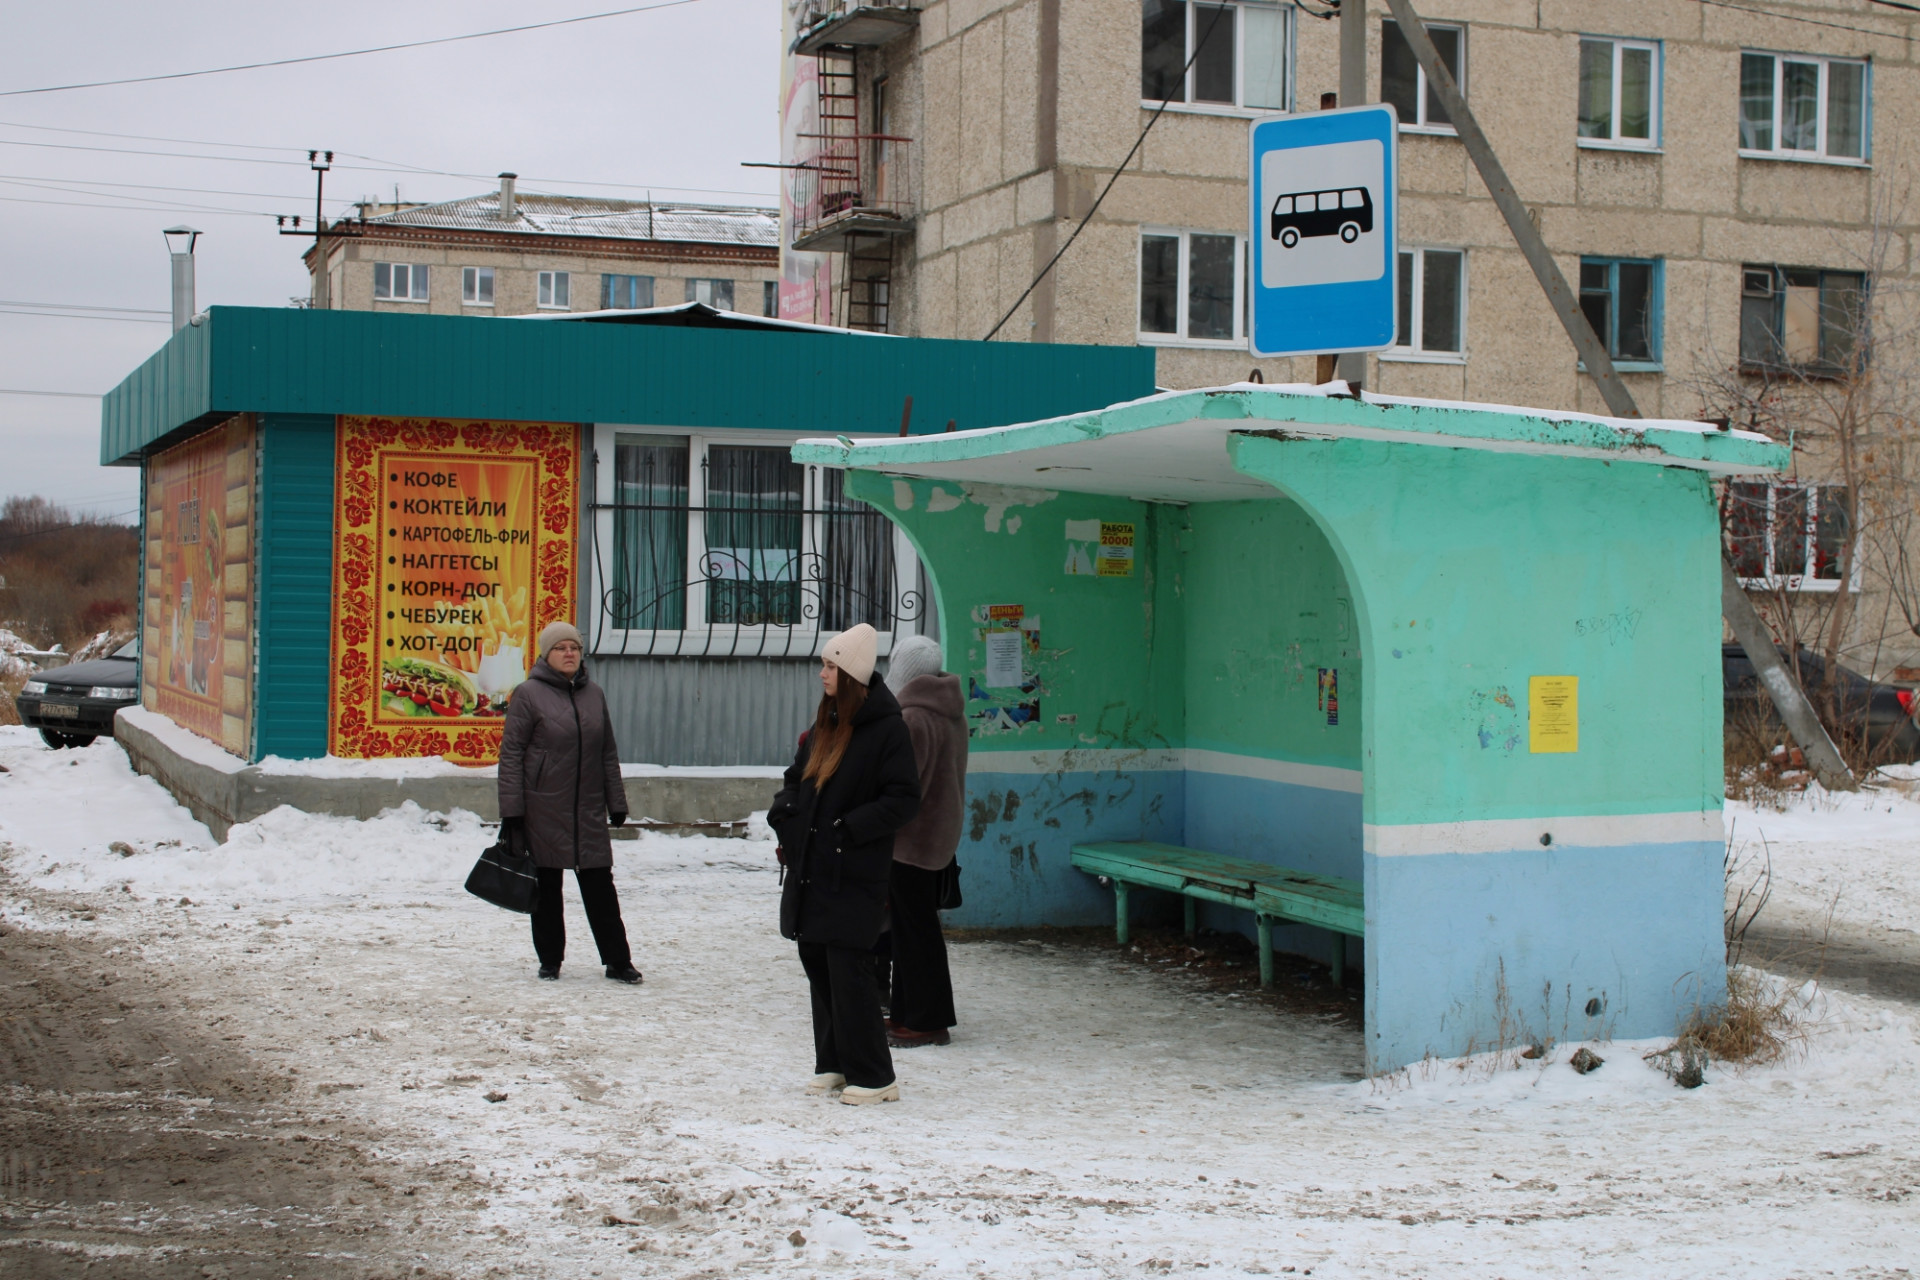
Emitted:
<point x="454" y="548"/>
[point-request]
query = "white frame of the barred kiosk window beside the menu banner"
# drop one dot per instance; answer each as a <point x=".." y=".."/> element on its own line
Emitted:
<point x="727" y="640"/>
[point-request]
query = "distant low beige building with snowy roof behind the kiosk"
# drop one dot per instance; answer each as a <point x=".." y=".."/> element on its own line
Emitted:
<point x="512" y="252"/>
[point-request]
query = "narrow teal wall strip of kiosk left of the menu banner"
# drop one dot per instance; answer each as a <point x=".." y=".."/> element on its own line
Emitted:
<point x="295" y="617"/>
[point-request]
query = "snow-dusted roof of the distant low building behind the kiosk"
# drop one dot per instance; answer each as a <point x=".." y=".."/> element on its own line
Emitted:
<point x="598" y="218"/>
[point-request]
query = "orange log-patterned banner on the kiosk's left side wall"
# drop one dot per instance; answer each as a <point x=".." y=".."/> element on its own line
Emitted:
<point x="199" y="650"/>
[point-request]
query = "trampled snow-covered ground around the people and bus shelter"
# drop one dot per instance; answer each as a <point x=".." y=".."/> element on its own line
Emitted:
<point x="1092" y="1118"/>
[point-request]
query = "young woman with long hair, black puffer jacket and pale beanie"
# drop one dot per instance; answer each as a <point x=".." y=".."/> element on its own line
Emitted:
<point x="852" y="786"/>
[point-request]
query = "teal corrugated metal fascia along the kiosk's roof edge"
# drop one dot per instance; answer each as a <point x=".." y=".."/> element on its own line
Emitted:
<point x="283" y="360"/>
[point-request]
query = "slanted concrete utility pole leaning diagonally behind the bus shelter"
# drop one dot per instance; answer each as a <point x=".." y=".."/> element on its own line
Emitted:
<point x="1748" y="627"/>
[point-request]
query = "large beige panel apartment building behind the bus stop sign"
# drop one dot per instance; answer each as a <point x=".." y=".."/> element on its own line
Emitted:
<point x="1723" y="183"/>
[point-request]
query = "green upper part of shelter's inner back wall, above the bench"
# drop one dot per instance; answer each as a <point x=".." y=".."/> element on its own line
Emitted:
<point x="1266" y="609"/>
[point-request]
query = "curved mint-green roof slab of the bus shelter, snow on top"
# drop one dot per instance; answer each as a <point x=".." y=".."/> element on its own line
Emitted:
<point x="1174" y="446"/>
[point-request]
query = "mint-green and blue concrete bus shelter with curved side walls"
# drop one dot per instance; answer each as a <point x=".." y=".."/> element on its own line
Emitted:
<point x="1337" y="634"/>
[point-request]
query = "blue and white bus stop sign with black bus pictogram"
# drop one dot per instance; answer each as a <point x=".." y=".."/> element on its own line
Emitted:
<point x="1324" y="231"/>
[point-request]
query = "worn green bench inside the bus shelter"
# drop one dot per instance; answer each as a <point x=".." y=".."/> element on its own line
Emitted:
<point x="1270" y="893"/>
